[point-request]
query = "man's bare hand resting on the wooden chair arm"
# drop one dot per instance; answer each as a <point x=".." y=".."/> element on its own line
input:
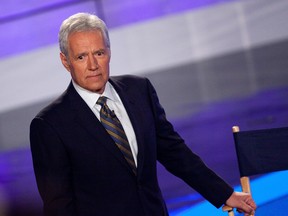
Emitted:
<point x="243" y="202"/>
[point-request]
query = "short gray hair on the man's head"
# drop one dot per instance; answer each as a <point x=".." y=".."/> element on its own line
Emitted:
<point x="81" y="22"/>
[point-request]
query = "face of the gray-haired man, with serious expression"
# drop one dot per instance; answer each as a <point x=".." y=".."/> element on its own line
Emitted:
<point x="88" y="60"/>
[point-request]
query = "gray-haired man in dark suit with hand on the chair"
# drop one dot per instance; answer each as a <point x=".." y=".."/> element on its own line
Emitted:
<point x="81" y="169"/>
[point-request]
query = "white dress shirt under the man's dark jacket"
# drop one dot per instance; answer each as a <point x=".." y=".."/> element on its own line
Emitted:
<point x="114" y="103"/>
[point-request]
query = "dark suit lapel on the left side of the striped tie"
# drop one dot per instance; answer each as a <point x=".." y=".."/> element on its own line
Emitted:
<point x="86" y="119"/>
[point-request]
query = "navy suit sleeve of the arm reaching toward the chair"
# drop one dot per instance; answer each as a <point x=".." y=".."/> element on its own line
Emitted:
<point x="177" y="158"/>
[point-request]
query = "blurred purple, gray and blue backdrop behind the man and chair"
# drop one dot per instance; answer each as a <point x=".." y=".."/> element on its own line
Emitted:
<point x="214" y="64"/>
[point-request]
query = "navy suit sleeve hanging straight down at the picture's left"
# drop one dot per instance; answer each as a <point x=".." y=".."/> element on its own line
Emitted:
<point x="52" y="169"/>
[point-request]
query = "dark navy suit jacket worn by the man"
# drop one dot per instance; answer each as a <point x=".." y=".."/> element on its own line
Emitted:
<point x="81" y="172"/>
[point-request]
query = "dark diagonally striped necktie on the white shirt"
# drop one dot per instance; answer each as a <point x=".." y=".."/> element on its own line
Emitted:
<point x="113" y="126"/>
